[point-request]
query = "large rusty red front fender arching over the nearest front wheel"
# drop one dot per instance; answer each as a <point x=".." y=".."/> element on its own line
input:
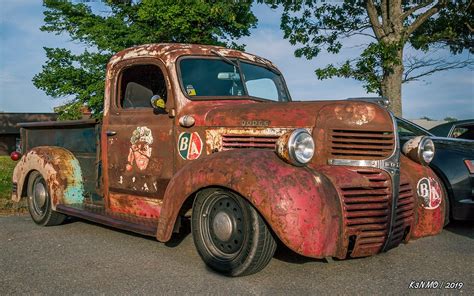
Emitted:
<point x="299" y="204"/>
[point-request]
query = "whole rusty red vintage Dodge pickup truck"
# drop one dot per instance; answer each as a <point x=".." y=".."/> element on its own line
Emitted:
<point x="211" y="135"/>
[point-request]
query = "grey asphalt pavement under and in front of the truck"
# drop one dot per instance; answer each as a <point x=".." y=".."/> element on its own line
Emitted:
<point x="86" y="258"/>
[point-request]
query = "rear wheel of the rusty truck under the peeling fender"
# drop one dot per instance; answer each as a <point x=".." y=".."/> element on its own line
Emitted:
<point x="39" y="202"/>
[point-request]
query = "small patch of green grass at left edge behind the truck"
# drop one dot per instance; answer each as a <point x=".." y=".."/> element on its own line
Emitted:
<point x="6" y="205"/>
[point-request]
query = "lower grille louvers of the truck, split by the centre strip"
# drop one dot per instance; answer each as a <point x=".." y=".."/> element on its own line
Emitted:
<point x="367" y="213"/>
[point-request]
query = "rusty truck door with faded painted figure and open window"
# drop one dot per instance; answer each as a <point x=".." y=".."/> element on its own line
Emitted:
<point x="139" y="140"/>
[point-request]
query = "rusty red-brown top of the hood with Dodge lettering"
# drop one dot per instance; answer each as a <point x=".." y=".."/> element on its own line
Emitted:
<point x="292" y="114"/>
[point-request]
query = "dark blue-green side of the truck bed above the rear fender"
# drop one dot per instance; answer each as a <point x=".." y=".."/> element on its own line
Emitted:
<point x="81" y="137"/>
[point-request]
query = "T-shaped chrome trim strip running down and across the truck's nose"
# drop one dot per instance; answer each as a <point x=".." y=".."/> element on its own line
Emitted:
<point x="391" y="165"/>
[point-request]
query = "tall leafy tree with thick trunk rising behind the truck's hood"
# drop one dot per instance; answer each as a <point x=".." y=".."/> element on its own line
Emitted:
<point x="389" y="26"/>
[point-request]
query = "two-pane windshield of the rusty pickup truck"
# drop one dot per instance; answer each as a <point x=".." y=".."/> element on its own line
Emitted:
<point x="216" y="77"/>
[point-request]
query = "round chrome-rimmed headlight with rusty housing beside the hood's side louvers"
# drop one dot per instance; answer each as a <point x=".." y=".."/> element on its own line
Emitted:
<point x="296" y="147"/>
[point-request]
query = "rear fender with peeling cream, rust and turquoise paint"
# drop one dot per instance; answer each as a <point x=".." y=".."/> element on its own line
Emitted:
<point x="59" y="167"/>
